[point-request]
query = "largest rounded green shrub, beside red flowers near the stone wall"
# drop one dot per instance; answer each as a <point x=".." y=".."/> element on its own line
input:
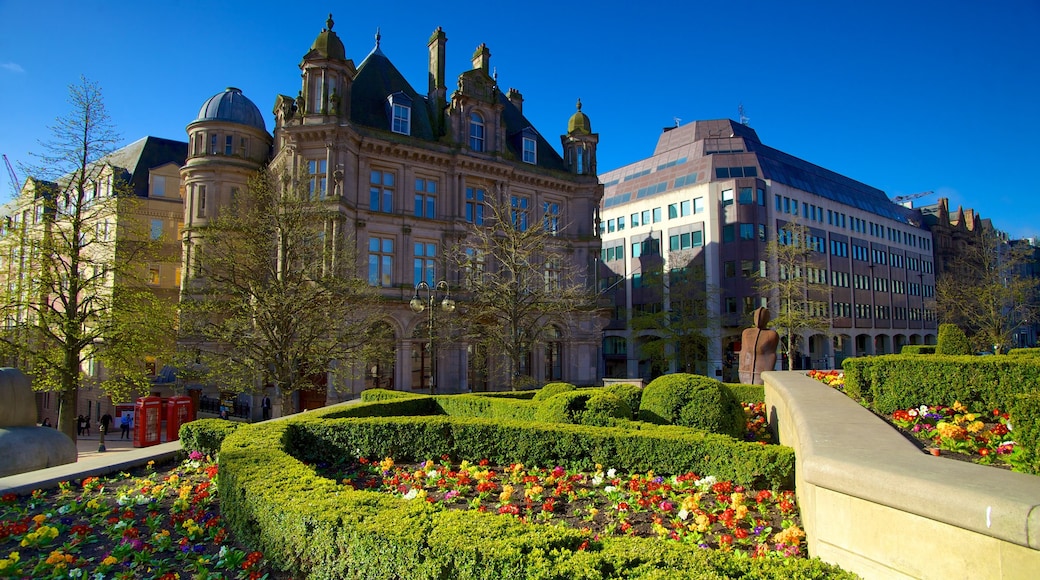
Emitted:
<point x="692" y="401"/>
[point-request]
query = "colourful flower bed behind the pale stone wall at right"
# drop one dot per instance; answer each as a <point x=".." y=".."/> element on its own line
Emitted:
<point x="982" y="438"/>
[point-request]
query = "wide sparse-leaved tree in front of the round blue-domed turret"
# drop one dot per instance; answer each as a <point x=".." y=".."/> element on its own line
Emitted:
<point x="275" y="301"/>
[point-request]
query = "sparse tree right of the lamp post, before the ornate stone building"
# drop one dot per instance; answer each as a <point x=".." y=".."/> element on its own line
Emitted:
<point x="518" y="278"/>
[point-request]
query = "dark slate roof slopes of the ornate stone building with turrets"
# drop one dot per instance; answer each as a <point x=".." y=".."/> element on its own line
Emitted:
<point x="378" y="78"/>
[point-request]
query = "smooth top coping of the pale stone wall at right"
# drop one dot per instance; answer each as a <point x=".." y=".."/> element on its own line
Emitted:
<point x="843" y="447"/>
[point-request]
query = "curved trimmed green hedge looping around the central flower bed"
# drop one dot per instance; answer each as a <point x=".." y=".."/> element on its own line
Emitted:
<point x="314" y="528"/>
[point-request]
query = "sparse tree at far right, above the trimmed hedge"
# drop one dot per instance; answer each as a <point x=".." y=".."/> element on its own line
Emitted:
<point x="985" y="293"/>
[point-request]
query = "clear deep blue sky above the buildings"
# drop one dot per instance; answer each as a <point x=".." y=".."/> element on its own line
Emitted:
<point x="907" y="96"/>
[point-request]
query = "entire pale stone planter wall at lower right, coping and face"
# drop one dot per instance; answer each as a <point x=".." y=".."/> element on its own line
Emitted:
<point x="876" y="506"/>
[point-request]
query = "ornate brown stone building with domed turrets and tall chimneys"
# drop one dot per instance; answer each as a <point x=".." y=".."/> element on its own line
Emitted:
<point x="407" y="174"/>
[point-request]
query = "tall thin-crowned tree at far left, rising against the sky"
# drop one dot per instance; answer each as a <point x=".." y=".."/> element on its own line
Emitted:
<point x="74" y="286"/>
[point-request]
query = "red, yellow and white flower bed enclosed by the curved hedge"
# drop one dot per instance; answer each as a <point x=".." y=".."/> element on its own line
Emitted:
<point x="701" y="511"/>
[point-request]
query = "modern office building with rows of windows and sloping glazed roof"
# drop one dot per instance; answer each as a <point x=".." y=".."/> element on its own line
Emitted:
<point x="713" y="195"/>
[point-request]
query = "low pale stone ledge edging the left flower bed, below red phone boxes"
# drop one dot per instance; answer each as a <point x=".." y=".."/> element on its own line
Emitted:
<point x="119" y="456"/>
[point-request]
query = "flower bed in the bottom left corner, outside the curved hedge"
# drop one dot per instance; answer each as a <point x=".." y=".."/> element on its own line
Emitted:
<point x="159" y="522"/>
